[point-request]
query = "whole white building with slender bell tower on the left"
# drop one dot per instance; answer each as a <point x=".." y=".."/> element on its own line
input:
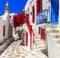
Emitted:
<point x="4" y="28"/>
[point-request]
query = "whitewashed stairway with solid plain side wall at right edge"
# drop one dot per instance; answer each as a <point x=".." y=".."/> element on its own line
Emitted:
<point x="53" y="42"/>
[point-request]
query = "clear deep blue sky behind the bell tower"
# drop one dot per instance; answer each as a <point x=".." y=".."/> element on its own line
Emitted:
<point x="15" y="6"/>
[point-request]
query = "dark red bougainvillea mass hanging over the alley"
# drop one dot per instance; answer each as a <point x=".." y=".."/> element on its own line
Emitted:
<point x="18" y="19"/>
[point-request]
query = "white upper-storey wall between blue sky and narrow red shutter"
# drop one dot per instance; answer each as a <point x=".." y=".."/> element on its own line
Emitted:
<point x="29" y="6"/>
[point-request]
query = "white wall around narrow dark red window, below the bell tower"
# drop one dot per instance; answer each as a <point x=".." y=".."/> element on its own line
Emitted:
<point x="4" y="21"/>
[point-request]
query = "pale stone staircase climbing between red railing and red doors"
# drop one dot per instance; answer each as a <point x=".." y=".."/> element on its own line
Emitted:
<point x="37" y="41"/>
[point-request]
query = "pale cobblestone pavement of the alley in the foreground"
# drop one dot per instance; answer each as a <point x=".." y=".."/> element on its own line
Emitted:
<point x="15" y="50"/>
